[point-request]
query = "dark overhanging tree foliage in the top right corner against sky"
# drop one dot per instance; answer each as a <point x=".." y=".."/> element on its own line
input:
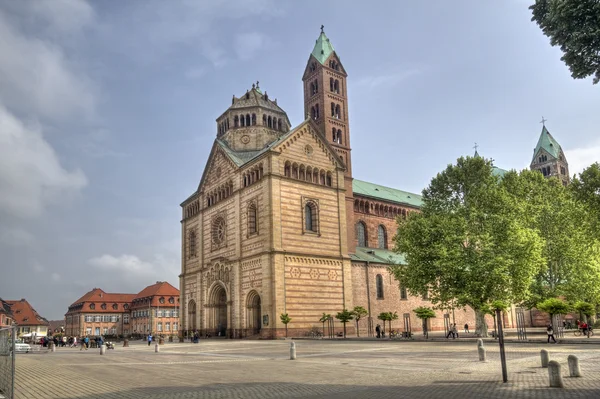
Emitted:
<point x="572" y="25"/>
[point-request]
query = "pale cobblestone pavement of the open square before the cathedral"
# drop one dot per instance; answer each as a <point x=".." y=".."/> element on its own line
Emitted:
<point x="323" y="369"/>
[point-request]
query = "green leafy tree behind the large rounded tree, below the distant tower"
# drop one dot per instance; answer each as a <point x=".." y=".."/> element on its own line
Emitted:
<point x="571" y="268"/>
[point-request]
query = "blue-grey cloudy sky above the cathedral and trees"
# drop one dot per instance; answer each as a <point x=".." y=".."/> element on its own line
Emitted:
<point x="107" y="114"/>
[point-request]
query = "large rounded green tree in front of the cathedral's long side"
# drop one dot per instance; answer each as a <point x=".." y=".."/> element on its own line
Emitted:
<point x="468" y="245"/>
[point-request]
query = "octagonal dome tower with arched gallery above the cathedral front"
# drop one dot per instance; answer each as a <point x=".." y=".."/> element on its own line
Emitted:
<point x="252" y="122"/>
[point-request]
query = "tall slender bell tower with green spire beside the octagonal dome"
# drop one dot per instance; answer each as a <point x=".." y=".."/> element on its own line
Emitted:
<point x="326" y="103"/>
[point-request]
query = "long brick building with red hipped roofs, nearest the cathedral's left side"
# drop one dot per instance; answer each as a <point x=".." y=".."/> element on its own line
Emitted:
<point x="154" y="309"/>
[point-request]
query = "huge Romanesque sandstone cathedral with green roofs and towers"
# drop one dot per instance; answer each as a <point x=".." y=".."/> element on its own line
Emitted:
<point x="278" y="225"/>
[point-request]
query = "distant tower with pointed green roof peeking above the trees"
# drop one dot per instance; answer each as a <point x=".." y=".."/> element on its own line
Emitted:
<point x="549" y="158"/>
